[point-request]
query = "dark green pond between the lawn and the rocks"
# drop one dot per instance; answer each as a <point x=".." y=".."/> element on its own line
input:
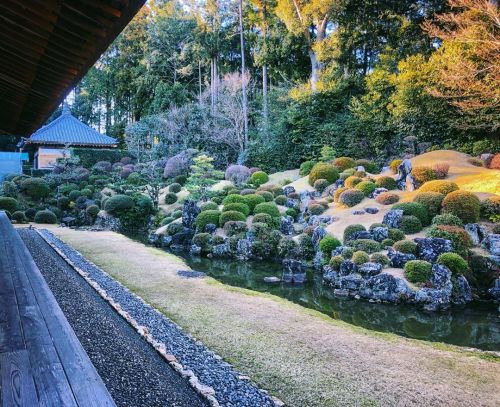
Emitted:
<point x="476" y="325"/>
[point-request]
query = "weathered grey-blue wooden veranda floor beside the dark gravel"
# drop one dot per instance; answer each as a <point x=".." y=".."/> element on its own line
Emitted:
<point x="32" y="323"/>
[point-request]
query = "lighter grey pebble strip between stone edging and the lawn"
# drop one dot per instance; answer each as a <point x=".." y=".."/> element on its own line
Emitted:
<point x="230" y="388"/>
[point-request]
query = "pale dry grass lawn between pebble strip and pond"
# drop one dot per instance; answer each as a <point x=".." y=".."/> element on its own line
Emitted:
<point x="302" y="356"/>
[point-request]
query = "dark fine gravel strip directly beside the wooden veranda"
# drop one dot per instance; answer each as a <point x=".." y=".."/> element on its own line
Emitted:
<point x="132" y="370"/>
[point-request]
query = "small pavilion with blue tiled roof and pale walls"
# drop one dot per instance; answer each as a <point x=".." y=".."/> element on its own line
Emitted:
<point x="54" y="140"/>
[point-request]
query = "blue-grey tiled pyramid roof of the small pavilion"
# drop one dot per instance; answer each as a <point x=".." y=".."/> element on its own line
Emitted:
<point x="67" y="129"/>
